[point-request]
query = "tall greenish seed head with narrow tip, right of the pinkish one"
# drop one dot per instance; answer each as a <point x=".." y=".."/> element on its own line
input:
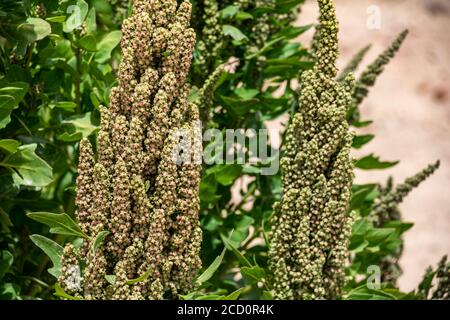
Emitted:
<point x="312" y="226"/>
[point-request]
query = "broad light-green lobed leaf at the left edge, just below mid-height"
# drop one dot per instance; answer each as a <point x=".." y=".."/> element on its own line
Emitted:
<point x="27" y="168"/>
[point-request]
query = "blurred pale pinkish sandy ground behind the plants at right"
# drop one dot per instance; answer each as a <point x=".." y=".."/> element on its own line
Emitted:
<point x="410" y="105"/>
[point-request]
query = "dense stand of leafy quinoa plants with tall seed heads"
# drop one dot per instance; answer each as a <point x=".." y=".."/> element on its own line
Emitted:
<point x="113" y="135"/>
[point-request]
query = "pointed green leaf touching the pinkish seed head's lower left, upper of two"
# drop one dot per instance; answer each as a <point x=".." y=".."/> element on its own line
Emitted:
<point x="59" y="223"/>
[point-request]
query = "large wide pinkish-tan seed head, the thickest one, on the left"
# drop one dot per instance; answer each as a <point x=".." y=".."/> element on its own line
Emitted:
<point x="134" y="188"/>
